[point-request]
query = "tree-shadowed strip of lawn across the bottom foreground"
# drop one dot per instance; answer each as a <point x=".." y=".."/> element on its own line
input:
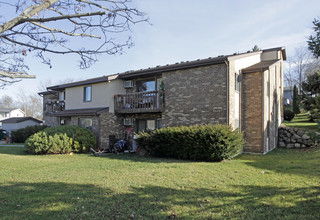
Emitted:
<point x="53" y="200"/>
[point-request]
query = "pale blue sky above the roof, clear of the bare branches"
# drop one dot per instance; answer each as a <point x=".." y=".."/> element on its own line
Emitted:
<point x="184" y="30"/>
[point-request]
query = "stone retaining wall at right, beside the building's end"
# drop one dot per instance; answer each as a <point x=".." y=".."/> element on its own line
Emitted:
<point x="294" y="138"/>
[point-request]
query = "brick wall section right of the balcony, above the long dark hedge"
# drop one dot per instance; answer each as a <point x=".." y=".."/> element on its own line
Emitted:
<point x="195" y="96"/>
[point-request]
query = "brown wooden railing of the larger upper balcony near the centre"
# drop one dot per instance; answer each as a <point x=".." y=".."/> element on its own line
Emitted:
<point x="139" y="102"/>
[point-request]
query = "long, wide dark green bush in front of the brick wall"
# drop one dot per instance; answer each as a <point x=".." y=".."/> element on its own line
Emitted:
<point x="207" y="142"/>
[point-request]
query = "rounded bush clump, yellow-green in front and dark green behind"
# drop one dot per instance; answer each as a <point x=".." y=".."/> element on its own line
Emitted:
<point x="61" y="139"/>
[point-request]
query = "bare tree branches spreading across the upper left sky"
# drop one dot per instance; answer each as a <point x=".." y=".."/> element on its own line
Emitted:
<point x="52" y="26"/>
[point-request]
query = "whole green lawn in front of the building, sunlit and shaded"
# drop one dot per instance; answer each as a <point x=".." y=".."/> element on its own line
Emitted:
<point x="283" y="184"/>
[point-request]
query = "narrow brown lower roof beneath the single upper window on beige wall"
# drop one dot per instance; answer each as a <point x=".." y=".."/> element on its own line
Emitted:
<point x="80" y="112"/>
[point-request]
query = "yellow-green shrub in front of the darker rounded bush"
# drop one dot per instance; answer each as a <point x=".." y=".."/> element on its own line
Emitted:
<point x="42" y="143"/>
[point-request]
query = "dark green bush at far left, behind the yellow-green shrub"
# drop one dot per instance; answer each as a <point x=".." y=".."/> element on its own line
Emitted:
<point x="22" y="134"/>
